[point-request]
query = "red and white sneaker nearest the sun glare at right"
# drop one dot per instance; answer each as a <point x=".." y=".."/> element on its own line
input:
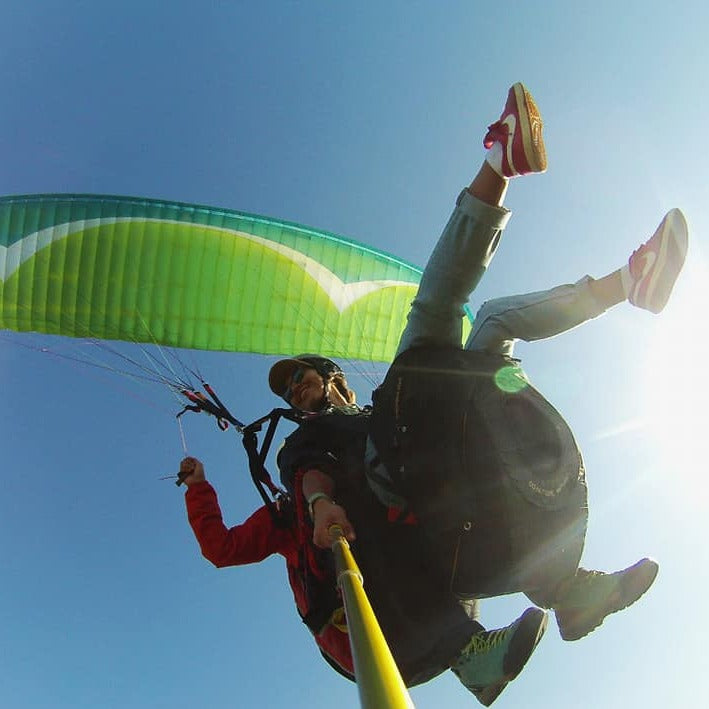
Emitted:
<point x="653" y="268"/>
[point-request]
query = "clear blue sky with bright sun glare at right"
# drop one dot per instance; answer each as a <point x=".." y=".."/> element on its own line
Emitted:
<point x="365" y="121"/>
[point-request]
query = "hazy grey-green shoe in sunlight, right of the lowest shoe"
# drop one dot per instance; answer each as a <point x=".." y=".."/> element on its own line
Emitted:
<point x="592" y="595"/>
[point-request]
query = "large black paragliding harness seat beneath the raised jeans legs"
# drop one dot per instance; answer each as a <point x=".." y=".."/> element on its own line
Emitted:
<point x="487" y="465"/>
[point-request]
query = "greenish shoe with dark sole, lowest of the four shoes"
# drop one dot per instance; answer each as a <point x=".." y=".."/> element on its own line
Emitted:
<point x="493" y="658"/>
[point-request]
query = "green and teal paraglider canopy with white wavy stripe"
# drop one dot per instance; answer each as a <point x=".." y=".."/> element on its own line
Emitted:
<point x="195" y="277"/>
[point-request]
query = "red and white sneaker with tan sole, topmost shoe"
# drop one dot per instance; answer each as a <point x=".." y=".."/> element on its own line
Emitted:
<point x="519" y="133"/>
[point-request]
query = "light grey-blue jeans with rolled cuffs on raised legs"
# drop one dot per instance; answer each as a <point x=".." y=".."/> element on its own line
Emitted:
<point x="455" y="268"/>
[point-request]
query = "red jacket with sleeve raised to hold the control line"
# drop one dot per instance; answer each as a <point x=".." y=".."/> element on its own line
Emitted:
<point x="254" y="540"/>
